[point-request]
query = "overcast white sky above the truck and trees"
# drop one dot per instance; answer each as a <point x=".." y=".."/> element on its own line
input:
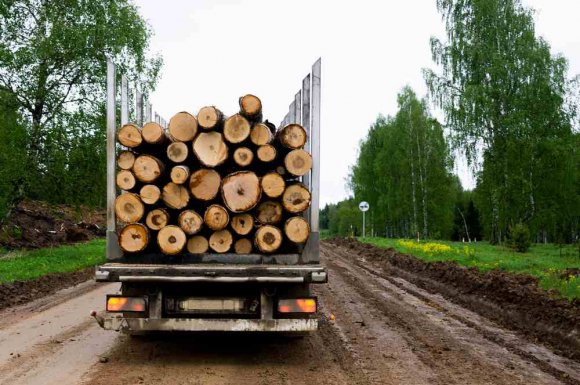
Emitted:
<point x="218" y="50"/>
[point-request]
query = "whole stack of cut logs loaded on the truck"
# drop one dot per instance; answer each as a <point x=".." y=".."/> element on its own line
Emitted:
<point x="213" y="183"/>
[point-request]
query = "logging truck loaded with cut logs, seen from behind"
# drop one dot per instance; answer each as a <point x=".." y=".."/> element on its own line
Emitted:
<point x="212" y="220"/>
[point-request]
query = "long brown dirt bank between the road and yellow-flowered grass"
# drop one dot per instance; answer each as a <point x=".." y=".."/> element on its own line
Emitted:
<point x="514" y="300"/>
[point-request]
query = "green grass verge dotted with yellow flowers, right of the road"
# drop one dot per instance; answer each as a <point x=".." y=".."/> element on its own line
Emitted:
<point x="546" y="262"/>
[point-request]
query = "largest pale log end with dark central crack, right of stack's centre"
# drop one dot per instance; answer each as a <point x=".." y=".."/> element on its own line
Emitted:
<point x="241" y="191"/>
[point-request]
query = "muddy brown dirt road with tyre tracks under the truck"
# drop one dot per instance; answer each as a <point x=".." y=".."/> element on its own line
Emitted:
<point x="386" y="331"/>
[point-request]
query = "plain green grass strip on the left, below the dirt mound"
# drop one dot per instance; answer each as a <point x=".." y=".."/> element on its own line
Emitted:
<point x="31" y="264"/>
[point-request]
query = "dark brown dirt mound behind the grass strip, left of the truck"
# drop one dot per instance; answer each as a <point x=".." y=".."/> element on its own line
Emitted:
<point x="34" y="224"/>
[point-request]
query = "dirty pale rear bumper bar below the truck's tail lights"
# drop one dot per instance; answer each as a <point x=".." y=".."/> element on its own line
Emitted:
<point x="128" y="325"/>
